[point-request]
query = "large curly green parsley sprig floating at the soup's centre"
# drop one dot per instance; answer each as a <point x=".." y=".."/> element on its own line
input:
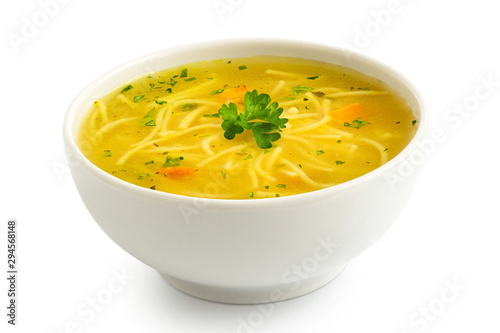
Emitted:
<point x="260" y="117"/>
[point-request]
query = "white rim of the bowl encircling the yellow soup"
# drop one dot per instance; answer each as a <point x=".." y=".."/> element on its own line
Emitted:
<point x="313" y="196"/>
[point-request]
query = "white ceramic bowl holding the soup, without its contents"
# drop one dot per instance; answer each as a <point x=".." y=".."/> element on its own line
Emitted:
<point x="245" y="251"/>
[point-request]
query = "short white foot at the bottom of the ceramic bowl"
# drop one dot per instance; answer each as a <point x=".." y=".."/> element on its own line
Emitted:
<point x="252" y="295"/>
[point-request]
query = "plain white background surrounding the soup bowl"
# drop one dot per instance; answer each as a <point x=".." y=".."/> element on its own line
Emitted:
<point x="448" y="235"/>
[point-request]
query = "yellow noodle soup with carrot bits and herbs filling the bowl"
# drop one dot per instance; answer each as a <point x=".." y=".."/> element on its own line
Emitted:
<point x="192" y="130"/>
